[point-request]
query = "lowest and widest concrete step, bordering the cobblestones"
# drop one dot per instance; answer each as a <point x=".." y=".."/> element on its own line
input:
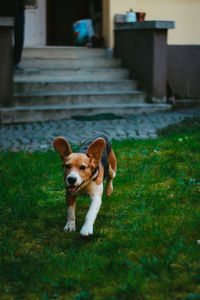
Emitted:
<point x="23" y="114"/>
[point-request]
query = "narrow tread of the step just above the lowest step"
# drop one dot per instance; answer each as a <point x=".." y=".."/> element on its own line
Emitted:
<point x="87" y="93"/>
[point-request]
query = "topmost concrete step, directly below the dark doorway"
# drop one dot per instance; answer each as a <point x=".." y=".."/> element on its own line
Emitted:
<point x="64" y="52"/>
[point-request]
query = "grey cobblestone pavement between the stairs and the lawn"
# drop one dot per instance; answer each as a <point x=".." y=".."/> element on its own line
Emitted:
<point x="40" y="135"/>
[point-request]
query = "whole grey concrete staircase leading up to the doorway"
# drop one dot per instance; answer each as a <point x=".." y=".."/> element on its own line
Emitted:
<point x="59" y="83"/>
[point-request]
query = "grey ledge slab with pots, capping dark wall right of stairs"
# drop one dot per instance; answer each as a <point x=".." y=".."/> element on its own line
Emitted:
<point x="145" y="25"/>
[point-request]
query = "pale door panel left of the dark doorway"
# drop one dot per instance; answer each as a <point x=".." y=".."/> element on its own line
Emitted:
<point x="35" y="24"/>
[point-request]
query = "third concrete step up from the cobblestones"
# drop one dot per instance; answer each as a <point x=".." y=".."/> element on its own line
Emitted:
<point x="54" y="85"/>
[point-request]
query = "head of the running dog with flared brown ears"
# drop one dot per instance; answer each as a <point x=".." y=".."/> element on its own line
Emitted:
<point x="79" y="168"/>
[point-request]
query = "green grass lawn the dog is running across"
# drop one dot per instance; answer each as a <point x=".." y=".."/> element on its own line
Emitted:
<point x="145" y="237"/>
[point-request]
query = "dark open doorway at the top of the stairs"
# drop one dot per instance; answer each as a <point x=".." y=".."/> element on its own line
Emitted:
<point x="61" y="14"/>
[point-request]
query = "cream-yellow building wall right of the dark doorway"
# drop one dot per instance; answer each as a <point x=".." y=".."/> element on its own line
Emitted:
<point x="185" y="13"/>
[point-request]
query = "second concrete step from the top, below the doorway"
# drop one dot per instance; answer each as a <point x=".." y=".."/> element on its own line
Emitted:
<point x="95" y="62"/>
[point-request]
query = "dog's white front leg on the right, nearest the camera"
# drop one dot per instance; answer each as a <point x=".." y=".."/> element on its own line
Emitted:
<point x="96" y="196"/>
